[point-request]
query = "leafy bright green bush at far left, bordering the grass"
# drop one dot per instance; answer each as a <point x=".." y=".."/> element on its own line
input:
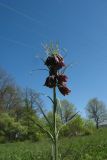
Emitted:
<point x="9" y="128"/>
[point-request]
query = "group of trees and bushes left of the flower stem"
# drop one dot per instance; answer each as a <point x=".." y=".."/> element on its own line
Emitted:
<point x="18" y="111"/>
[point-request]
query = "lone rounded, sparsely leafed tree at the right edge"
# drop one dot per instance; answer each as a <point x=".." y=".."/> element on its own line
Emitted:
<point x="96" y="110"/>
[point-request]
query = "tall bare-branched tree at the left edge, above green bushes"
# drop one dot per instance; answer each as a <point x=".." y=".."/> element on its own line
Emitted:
<point x="9" y="93"/>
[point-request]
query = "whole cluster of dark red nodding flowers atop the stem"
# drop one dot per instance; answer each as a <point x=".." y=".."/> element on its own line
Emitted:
<point x="56" y="79"/>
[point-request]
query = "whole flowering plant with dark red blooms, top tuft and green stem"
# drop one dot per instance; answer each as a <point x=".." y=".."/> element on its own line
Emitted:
<point x="55" y="79"/>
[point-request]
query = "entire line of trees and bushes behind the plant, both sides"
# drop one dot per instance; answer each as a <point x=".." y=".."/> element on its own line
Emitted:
<point x="21" y="118"/>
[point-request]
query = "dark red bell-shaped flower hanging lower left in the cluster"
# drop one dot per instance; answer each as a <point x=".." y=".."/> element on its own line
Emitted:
<point x="50" y="81"/>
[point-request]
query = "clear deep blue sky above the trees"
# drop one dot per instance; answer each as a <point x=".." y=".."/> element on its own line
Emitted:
<point x="80" y="26"/>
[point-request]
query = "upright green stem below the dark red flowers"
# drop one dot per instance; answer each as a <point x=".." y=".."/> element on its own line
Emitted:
<point x="54" y="120"/>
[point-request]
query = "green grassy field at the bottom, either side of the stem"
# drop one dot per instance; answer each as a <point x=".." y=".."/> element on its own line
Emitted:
<point x="93" y="147"/>
